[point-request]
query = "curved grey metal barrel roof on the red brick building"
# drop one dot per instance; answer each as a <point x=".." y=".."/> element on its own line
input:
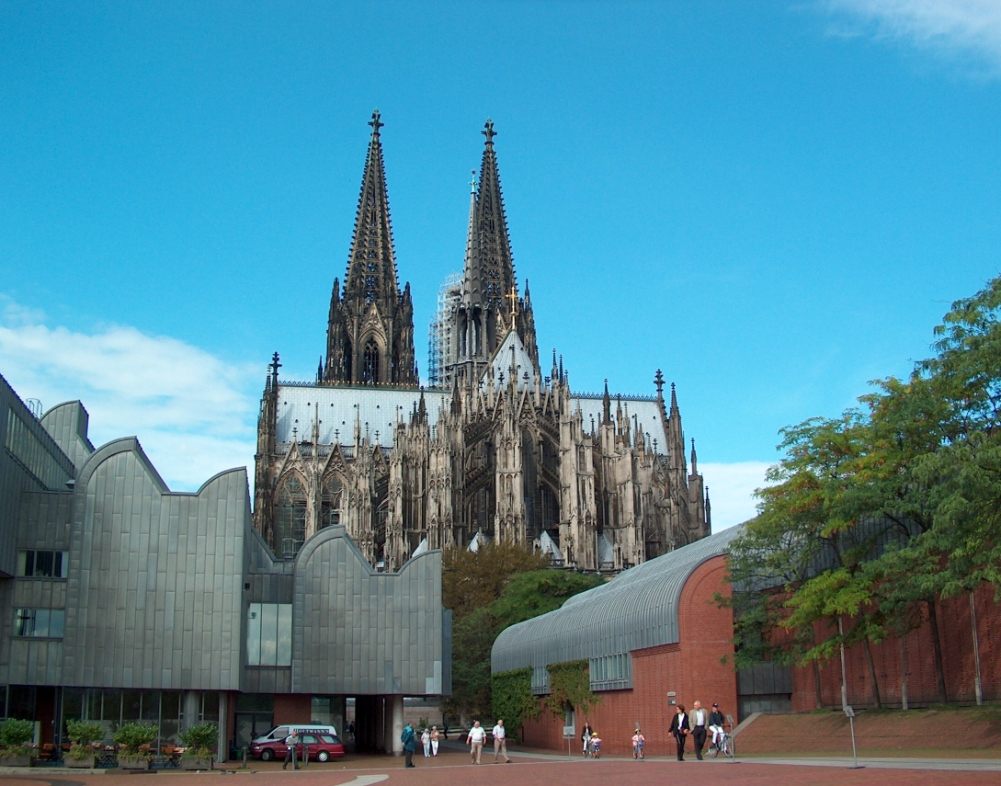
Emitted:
<point x="636" y="610"/>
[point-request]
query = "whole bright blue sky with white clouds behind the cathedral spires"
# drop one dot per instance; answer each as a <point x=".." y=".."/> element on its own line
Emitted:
<point x="775" y="203"/>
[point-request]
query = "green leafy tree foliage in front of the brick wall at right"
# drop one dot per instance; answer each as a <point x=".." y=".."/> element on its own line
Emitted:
<point x="876" y="515"/>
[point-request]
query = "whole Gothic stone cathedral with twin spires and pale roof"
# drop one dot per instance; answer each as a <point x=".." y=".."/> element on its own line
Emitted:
<point x="492" y="450"/>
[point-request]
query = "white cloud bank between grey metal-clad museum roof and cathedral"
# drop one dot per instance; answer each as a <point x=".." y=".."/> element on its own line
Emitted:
<point x="193" y="412"/>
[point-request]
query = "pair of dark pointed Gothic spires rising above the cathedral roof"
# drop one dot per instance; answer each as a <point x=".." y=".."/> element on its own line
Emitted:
<point x="371" y="323"/>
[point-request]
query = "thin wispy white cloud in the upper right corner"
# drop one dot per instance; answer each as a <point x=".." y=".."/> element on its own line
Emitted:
<point x="966" y="30"/>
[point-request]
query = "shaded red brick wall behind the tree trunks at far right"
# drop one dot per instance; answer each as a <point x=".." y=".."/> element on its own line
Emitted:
<point x="956" y="637"/>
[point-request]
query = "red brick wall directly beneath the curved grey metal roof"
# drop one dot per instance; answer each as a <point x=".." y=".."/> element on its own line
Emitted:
<point x="691" y="669"/>
